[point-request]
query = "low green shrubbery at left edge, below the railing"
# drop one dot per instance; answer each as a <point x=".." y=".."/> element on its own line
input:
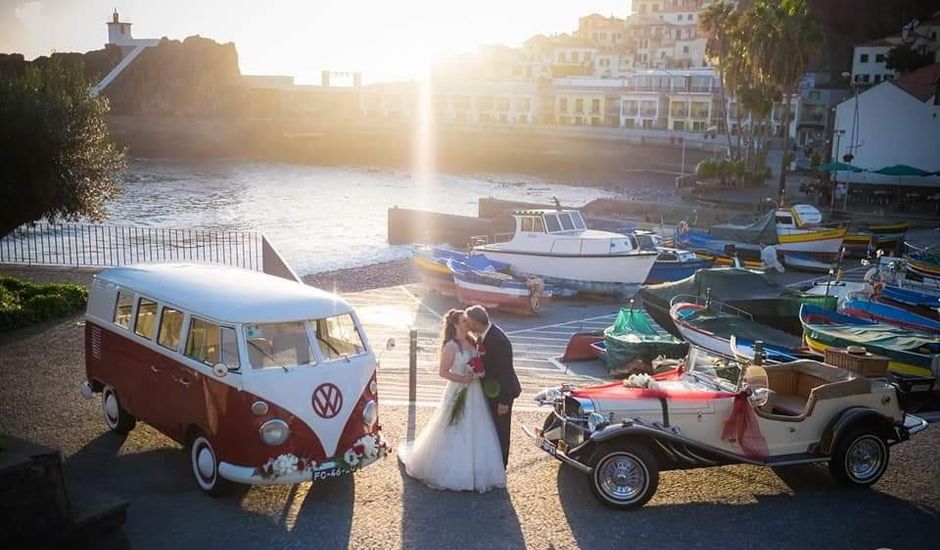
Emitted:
<point x="23" y="303"/>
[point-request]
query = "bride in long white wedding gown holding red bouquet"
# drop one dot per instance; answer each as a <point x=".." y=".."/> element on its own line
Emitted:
<point x="459" y="452"/>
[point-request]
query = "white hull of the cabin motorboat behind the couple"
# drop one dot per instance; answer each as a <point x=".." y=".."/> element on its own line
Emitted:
<point x="618" y="275"/>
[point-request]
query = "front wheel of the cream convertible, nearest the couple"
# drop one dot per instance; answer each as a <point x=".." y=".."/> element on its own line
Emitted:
<point x="625" y="475"/>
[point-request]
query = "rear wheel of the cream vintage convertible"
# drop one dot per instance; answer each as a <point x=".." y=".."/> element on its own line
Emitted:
<point x="860" y="458"/>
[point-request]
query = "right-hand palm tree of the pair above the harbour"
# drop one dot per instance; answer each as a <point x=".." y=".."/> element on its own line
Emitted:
<point x="784" y="35"/>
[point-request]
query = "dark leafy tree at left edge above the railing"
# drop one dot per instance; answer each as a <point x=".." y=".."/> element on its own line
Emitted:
<point x="58" y="159"/>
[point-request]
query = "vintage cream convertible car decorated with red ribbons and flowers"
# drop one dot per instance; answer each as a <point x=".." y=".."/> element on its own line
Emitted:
<point x="712" y="411"/>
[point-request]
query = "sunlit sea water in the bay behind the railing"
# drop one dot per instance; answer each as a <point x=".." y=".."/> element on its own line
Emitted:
<point x="319" y="218"/>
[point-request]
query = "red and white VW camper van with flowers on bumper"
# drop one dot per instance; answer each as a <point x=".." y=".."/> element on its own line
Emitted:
<point x="264" y="380"/>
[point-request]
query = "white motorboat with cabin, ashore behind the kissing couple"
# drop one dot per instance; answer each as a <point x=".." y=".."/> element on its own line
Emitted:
<point x="556" y="246"/>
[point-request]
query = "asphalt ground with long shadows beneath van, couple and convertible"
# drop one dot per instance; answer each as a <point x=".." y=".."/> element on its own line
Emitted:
<point x="545" y="506"/>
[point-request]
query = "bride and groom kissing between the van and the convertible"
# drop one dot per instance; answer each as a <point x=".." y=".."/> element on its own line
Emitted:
<point x="465" y="446"/>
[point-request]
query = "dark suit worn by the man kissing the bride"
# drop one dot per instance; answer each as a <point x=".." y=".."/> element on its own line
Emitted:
<point x="500" y="382"/>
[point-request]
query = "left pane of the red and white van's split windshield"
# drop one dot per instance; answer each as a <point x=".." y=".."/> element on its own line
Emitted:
<point x="278" y="345"/>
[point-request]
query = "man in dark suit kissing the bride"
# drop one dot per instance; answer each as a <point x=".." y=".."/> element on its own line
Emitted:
<point x="500" y="383"/>
